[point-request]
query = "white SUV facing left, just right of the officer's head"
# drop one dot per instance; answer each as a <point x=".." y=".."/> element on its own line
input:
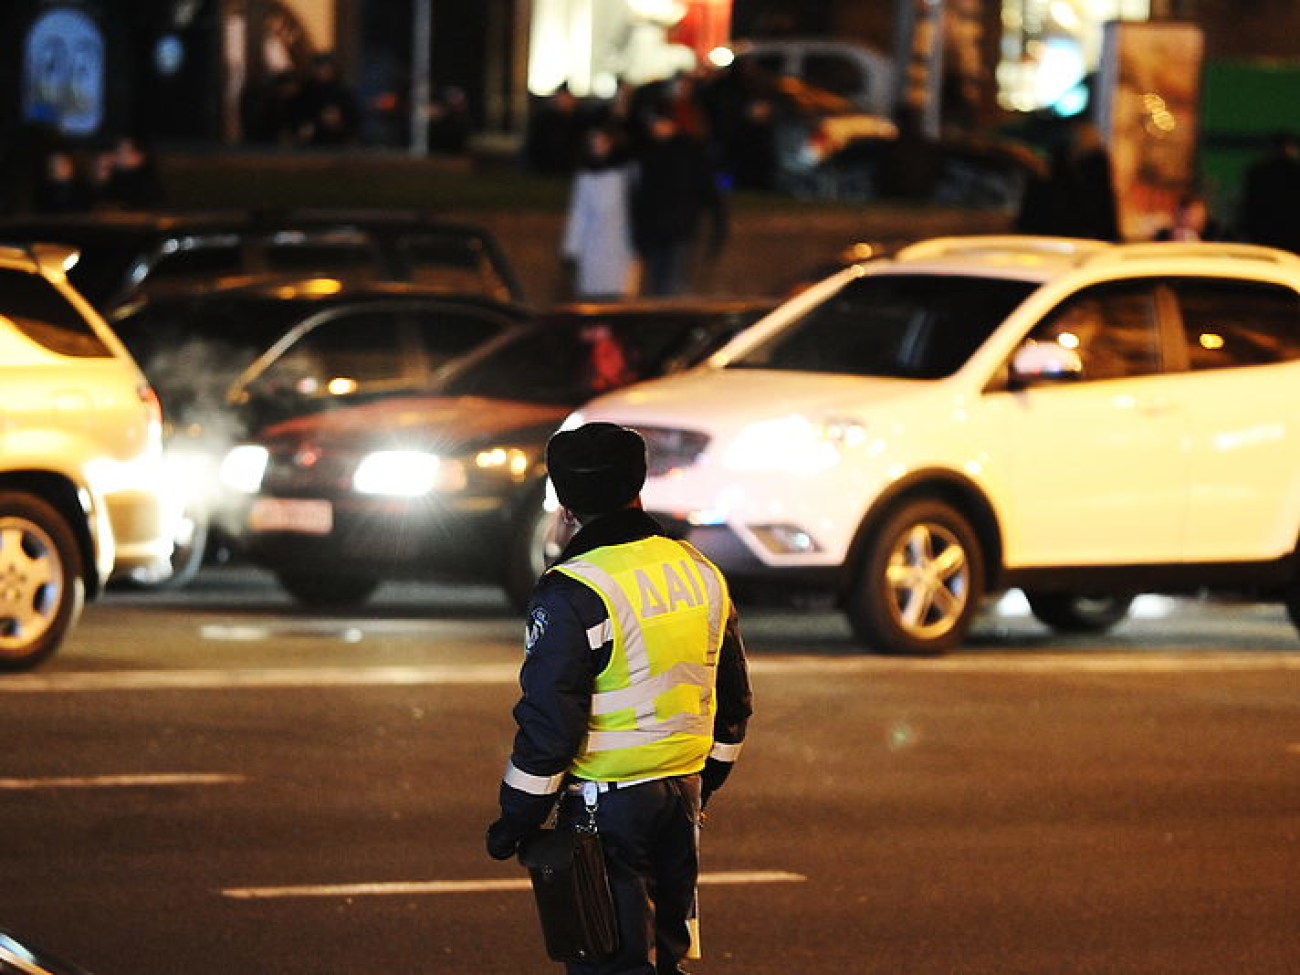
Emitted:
<point x="1081" y="421"/>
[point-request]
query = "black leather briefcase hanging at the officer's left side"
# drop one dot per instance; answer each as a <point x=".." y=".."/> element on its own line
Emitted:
<point x="573" y="892"/>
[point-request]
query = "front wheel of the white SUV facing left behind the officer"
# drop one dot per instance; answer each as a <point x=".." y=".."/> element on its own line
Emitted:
<point x="918" y="582"/>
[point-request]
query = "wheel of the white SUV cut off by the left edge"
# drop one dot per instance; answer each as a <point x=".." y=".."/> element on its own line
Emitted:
<point x="42" y="590"/>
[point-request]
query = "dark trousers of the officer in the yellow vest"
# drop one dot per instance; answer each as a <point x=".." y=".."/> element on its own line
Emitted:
<point x="651" y="844"/>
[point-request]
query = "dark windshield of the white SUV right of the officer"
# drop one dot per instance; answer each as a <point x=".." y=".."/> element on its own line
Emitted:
<point x="908" y="327"/>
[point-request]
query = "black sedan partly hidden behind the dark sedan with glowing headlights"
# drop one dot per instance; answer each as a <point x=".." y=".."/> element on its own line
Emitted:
<point x="387" y="335"/>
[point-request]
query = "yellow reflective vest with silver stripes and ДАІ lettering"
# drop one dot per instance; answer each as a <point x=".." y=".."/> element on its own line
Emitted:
<point x="653" y="705"/>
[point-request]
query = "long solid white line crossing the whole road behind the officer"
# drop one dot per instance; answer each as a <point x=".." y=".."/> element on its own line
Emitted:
<point x="489" y="674"/>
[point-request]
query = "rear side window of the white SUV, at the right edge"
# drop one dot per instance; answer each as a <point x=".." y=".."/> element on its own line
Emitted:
<point x="1238" y="323"/>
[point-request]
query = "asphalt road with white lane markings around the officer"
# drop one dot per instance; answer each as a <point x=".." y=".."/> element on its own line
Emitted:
<point x="211" y="783"/>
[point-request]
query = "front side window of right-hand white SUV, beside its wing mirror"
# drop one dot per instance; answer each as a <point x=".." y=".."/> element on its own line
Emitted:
<point x="1113" y="328"/>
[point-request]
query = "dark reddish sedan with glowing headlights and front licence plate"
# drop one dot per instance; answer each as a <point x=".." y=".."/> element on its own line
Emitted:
<point x="448" y="483"/>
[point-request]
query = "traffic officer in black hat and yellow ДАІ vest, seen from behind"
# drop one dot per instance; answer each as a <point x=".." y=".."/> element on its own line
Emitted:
<point x="635" y="697"/>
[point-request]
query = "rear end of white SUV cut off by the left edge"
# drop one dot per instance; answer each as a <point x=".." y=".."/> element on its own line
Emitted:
<point x="81" y="479"/>
